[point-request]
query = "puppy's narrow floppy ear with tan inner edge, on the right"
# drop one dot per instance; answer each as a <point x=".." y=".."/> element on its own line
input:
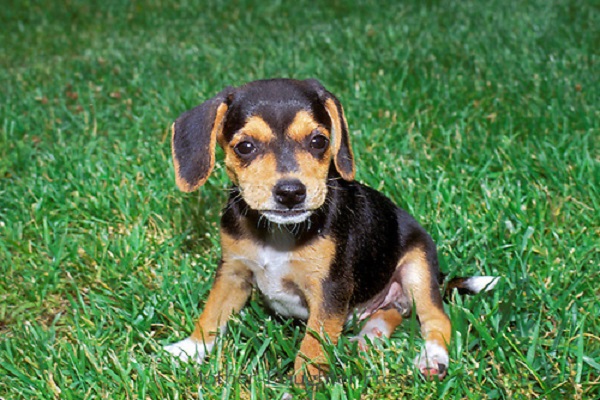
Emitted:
<point x="343" y="158"/>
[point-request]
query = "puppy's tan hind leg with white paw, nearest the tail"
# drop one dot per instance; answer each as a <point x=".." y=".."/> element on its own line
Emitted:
<point x="419" y="281"/>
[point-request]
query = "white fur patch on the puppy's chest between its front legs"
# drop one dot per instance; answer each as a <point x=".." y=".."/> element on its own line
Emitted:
<point x="271" y="269"/>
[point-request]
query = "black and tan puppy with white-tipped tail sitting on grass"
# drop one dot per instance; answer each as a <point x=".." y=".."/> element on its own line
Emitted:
<point x="317" y="244"/>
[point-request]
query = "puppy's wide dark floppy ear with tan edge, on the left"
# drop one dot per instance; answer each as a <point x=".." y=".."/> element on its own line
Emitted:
<point x="194" y="139"/>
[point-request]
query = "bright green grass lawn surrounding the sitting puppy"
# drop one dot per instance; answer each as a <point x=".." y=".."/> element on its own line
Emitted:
<point x="481" y="118"/>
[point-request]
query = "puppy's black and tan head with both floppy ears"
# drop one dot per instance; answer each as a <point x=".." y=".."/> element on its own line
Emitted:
<point x="280" y="138"/>
